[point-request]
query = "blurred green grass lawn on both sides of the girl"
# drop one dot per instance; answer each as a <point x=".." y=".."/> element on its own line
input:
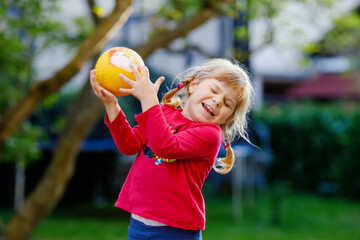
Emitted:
<point x="303" y="218"/>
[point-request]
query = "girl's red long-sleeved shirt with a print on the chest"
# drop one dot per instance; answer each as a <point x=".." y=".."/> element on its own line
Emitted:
<point x="169" y="193"/>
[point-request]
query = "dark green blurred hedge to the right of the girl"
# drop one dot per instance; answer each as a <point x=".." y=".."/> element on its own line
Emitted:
<point x="316" y="147"/>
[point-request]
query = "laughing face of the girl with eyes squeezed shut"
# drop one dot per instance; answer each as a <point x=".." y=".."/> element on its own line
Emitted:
<point x="210" y="101"/>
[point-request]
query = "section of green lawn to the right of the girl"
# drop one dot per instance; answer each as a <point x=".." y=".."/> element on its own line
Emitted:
<point x="303" y="218"/>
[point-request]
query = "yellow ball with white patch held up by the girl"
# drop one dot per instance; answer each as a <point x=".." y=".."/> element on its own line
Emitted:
<point x="113" y="62"/>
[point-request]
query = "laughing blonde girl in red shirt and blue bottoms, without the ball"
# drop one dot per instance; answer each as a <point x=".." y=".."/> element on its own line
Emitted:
<point x="177" y="143"/>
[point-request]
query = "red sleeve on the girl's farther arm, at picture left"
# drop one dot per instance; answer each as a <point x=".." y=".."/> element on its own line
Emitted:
<point x="128" y="140"/>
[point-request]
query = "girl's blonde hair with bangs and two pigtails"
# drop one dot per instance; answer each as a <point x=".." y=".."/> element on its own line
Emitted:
<point x="237" y="77"/>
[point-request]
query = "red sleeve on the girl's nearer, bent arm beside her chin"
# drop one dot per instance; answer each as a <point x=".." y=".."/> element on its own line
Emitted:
<point x="201" y="141"/>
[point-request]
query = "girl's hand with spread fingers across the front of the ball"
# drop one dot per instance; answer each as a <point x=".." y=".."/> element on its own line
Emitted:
<point x="143" y="89"/>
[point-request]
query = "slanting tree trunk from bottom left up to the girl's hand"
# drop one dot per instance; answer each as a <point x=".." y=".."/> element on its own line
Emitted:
<point x="81" y="119"/>
